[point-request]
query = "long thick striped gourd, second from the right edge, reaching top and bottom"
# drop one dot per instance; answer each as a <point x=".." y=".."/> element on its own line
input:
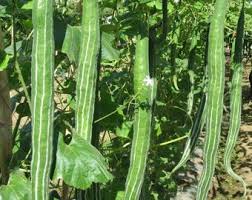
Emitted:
<point x="215" y="93"/>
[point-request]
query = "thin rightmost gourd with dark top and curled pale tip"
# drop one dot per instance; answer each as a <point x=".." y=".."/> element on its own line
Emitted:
<point x="236" y="100"/>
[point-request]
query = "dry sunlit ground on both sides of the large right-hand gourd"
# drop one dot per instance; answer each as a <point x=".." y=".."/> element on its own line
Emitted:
<point x="224" y="187"/>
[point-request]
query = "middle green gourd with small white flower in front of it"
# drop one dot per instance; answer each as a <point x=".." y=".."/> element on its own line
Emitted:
<point x="144" y="89"/>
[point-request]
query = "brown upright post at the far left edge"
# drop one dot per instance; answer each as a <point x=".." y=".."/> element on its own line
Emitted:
<point x="5" y="123"/>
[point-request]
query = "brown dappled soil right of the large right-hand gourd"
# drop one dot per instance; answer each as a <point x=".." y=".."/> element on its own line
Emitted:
<point x="225" y="187"/>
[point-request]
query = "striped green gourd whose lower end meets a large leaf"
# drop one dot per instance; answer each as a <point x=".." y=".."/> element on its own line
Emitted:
<point x="87" y="69"/>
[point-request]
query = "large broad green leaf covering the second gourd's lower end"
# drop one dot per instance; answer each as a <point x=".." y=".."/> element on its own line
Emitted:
<point x="80" y="164"/>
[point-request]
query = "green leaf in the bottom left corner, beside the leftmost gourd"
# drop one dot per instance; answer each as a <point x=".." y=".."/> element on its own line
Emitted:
<point x="19" y="188"/>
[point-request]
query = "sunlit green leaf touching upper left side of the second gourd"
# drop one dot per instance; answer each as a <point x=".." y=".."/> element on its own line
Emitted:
<point x="71" y="44"/>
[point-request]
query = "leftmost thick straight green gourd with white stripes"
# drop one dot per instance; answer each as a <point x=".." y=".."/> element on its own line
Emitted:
<point x="42" y="97"/>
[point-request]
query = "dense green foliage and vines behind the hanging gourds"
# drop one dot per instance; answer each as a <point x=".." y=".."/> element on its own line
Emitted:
<point x="178" y="50"/>
